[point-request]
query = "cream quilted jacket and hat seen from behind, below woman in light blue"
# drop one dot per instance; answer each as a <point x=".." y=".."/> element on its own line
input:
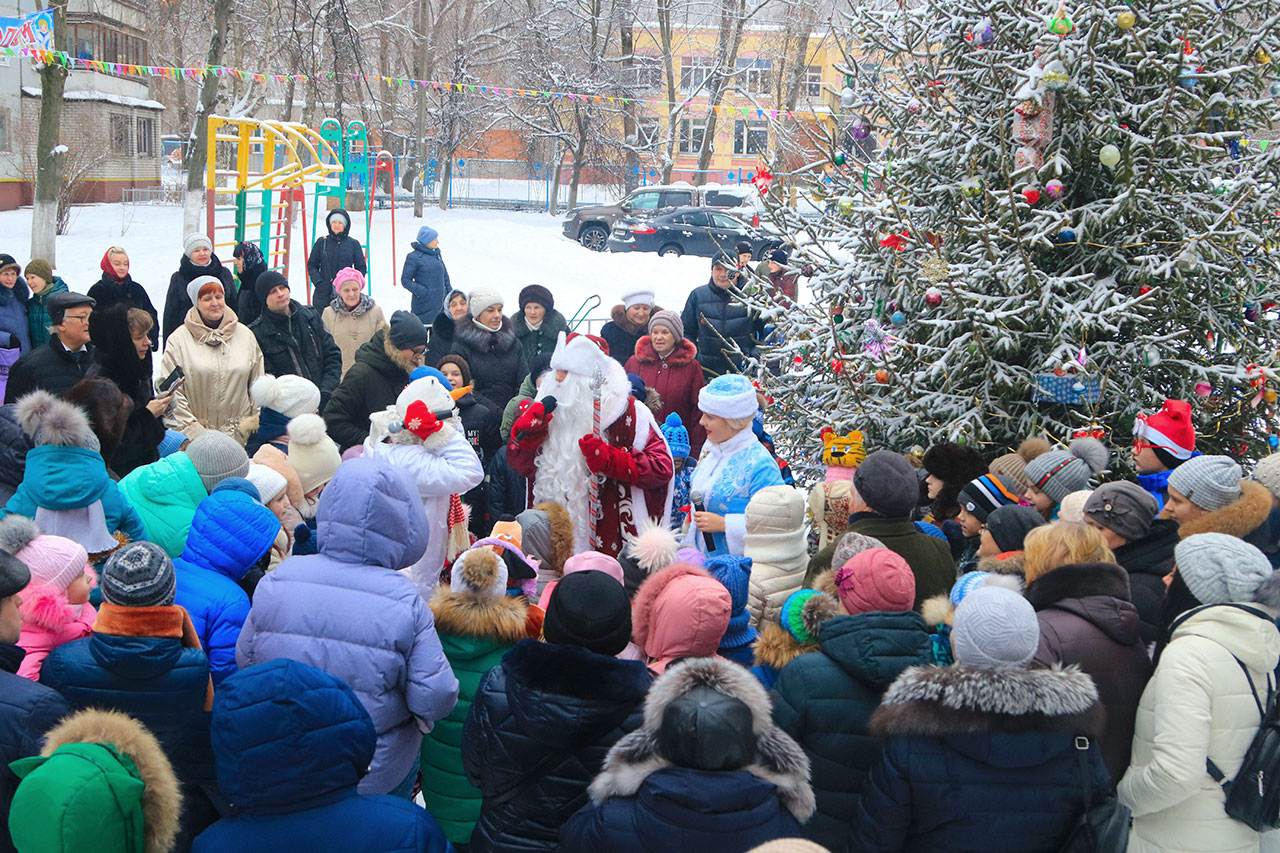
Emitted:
<point x="778" y="544"/>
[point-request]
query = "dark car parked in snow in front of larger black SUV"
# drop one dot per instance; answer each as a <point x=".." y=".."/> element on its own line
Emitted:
<point x="691" y="231"/>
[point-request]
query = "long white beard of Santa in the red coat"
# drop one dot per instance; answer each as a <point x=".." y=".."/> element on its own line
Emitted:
<point x="561" y="472"/>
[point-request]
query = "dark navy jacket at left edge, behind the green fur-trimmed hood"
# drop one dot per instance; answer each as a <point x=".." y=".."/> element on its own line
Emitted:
<point x="28" y="711"/>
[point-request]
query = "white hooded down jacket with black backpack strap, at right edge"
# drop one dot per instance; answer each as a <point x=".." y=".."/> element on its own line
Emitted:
<point x="1197" y="705"/>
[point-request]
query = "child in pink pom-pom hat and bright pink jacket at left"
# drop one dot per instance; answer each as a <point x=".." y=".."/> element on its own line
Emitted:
<point x="56" y="608"/>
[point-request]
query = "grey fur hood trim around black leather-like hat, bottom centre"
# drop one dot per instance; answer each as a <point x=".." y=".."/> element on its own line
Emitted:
<point x="779" y="759"/>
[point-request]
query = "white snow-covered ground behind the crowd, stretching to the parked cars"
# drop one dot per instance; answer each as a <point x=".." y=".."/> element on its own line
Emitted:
<point x="502" y="249"/>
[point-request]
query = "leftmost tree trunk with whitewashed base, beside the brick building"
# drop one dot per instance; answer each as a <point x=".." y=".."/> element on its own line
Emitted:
<point x="49" y="157"/>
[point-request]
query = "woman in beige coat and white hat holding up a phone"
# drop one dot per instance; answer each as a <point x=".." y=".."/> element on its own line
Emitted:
<point x="220" y="359"/>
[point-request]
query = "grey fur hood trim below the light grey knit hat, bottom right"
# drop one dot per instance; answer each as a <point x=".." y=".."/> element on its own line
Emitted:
<point x="940" y="703"/>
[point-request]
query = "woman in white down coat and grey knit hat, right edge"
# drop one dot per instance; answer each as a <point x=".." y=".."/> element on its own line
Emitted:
<point x="1199" y="704"/>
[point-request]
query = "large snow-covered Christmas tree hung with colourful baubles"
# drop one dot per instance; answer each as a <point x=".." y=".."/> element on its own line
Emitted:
<point x="1040" y="218"/>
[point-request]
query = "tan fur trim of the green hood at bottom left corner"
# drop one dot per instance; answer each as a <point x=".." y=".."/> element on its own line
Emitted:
<point x="162" y="801"/>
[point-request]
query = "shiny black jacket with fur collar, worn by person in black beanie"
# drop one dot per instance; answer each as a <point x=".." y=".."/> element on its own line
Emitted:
<point x="542" y="723"/>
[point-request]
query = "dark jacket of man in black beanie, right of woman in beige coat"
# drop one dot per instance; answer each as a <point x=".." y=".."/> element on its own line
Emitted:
<point x="299" y="344"/>
